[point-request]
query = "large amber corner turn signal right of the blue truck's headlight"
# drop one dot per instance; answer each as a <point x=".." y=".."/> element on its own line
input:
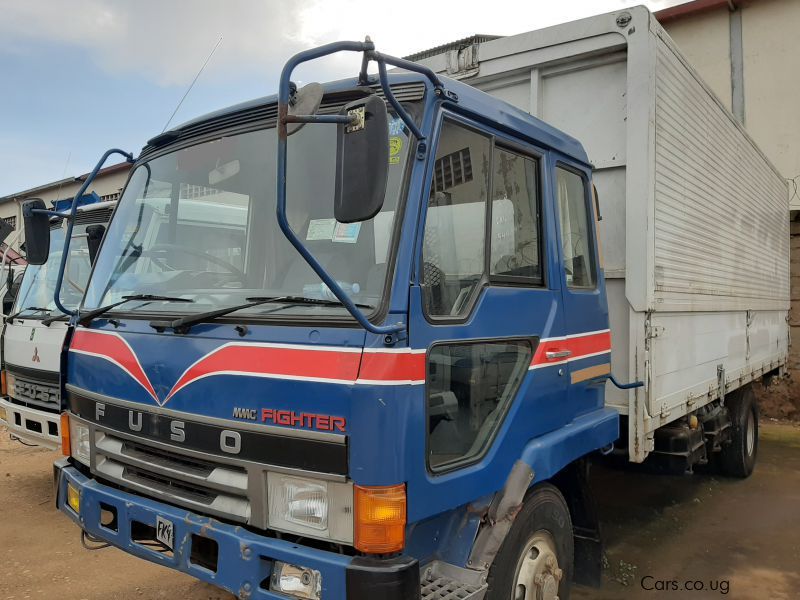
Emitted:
<point x="380" y="519"/>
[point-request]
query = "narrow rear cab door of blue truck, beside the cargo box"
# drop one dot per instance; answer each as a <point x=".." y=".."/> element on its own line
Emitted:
<point x="587" y="344"/>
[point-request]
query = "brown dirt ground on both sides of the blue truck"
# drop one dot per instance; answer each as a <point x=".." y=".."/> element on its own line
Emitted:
<point x="739" y="536"/>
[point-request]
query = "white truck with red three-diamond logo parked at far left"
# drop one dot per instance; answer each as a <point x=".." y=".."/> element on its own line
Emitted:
<point x="35" y="332"/>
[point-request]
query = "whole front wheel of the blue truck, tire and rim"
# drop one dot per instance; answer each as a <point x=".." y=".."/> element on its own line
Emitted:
<point x="542" y="529"/>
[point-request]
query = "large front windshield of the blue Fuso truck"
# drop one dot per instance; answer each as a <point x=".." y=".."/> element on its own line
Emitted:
<point x="199" y="223"/>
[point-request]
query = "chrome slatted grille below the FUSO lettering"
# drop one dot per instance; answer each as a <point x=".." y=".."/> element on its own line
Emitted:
<point x="199" y="484"/>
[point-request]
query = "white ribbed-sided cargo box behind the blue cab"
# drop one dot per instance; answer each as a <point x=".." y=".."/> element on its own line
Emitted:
<point x="695" y="229"/>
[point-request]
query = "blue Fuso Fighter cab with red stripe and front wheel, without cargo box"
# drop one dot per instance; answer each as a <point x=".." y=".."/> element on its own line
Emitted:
<point x="349" y="341"/>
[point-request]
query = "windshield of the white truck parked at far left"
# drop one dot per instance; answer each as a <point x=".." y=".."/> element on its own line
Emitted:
<point x="39" y="282"/>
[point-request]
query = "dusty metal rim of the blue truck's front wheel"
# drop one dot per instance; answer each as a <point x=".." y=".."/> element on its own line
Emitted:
<point x="537" y="575"/>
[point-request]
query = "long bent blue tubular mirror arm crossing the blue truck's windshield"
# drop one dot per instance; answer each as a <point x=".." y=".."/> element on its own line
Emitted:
<point x="284" y="92"/>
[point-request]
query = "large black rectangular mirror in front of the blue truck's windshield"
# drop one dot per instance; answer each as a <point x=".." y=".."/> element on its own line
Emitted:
<point x="362" y="161"/>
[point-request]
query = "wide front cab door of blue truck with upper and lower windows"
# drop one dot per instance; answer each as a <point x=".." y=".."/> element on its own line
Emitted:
<point x="485" y="296"/>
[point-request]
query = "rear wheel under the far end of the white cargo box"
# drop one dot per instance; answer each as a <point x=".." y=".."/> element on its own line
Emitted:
<point x="738" y="458"/>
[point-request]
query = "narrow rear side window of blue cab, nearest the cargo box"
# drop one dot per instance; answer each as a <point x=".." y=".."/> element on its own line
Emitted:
<point x="576" y="238"/>
